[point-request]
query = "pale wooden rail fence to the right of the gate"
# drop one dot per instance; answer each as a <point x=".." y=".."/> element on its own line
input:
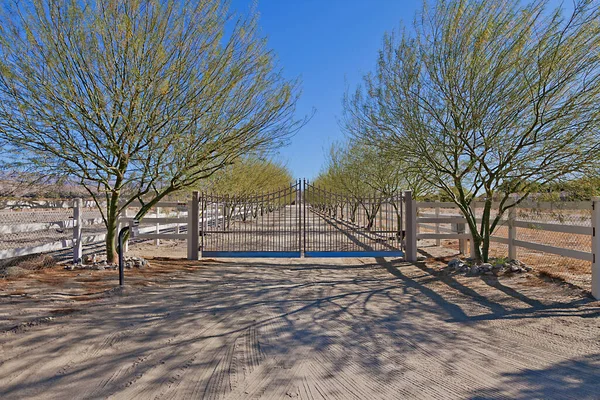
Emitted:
<point x="460" y="231"/>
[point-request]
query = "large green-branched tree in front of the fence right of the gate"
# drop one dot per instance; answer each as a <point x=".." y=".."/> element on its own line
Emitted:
<point x="488" y="99"/>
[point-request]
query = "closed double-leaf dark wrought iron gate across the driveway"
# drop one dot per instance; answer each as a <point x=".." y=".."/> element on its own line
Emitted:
<point x="301" y="220"/>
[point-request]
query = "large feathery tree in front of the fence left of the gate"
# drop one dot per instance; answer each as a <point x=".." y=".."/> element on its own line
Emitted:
<point x="136" y="99"/>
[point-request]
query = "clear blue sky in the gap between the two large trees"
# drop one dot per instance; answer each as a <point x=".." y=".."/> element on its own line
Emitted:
<point x="326" y="43"/>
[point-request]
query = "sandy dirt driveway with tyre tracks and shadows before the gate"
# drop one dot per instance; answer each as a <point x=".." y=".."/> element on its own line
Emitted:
<point x="311" y="329"/>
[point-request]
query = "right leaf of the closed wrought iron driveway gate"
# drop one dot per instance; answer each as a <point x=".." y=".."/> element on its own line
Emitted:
<point x="338" y="225"/>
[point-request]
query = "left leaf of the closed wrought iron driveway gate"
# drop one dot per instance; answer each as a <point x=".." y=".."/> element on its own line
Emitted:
<point x="259" y="225"/>
